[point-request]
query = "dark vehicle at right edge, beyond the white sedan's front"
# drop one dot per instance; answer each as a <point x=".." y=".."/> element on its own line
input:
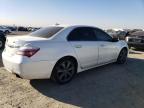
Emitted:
<point x="136" y="39"/>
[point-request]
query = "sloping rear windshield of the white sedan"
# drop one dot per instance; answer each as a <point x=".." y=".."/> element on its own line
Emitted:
<point x="46" y="32"/>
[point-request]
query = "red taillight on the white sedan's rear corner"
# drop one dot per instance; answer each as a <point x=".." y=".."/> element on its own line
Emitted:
<point x="28" y="52"/>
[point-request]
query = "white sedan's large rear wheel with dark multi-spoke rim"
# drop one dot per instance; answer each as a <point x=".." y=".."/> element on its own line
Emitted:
<point x="64" y="71"/>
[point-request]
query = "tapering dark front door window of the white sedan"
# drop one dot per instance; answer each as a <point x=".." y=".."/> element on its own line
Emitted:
<point x="102" y="36"/>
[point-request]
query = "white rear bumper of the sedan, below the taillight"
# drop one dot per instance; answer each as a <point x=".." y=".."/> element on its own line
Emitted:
<point x="28" y="70"/>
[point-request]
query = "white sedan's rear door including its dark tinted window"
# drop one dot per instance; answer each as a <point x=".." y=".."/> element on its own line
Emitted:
<point x="83" y="40"/>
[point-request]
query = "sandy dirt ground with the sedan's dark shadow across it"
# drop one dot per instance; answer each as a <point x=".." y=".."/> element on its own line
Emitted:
<point x="110" y="86"/>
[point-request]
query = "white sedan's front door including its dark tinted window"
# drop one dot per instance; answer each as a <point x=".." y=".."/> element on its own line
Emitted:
<point x="107" y="48"/>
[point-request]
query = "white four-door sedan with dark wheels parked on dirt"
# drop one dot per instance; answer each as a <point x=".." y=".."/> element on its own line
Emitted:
<point x="61" y="52"/>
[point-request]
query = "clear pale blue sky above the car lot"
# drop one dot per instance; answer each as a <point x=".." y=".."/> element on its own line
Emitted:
<point x="100" y="13"/>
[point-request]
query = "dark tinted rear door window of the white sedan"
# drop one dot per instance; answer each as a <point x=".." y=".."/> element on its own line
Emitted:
<point x="82" y="34"/>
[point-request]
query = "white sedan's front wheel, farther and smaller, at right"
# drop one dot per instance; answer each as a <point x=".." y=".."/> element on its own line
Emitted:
<point x="122" y="58"/>
